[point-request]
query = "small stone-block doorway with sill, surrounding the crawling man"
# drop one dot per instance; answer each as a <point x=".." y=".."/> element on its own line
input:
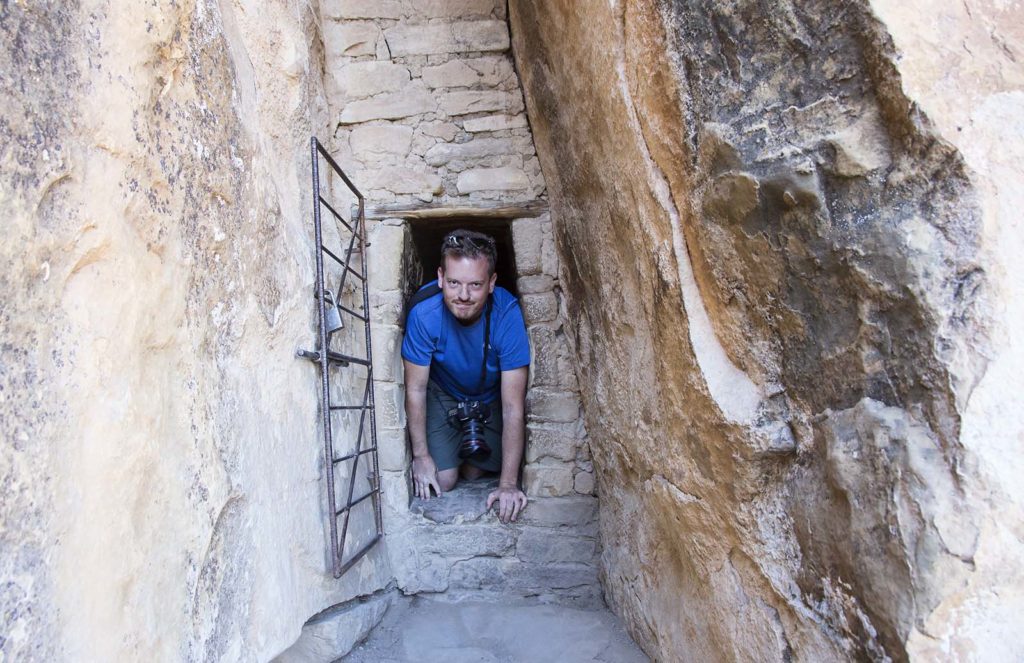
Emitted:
<point x="452" y="548"/>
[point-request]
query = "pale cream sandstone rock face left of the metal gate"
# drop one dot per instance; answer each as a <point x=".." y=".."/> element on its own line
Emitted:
<point x="161" y="493"/>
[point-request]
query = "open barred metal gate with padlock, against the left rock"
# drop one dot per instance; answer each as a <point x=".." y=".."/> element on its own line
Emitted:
<point x="344" y="364"/>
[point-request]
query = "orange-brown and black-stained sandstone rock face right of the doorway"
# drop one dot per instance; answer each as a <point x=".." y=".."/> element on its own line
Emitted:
<point x="788" y="237"/>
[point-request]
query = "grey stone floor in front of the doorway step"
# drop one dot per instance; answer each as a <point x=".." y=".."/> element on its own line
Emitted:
<point x="424" y="630"/>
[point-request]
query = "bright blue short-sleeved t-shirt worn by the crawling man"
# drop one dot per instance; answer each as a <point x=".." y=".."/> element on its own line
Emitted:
<point x="454" y="352"/>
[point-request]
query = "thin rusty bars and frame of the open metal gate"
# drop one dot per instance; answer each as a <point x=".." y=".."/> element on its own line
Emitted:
<point x="327" y="358"/>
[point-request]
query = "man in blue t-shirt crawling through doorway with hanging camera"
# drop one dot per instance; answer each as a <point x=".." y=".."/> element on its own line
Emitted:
<point x="467" y="343"/>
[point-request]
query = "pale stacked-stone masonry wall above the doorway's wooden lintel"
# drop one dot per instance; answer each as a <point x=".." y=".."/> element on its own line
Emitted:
<point x="428" y="104"/>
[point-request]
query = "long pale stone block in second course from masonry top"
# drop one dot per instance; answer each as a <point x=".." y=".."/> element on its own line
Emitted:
<point x="457" y="37"/>
